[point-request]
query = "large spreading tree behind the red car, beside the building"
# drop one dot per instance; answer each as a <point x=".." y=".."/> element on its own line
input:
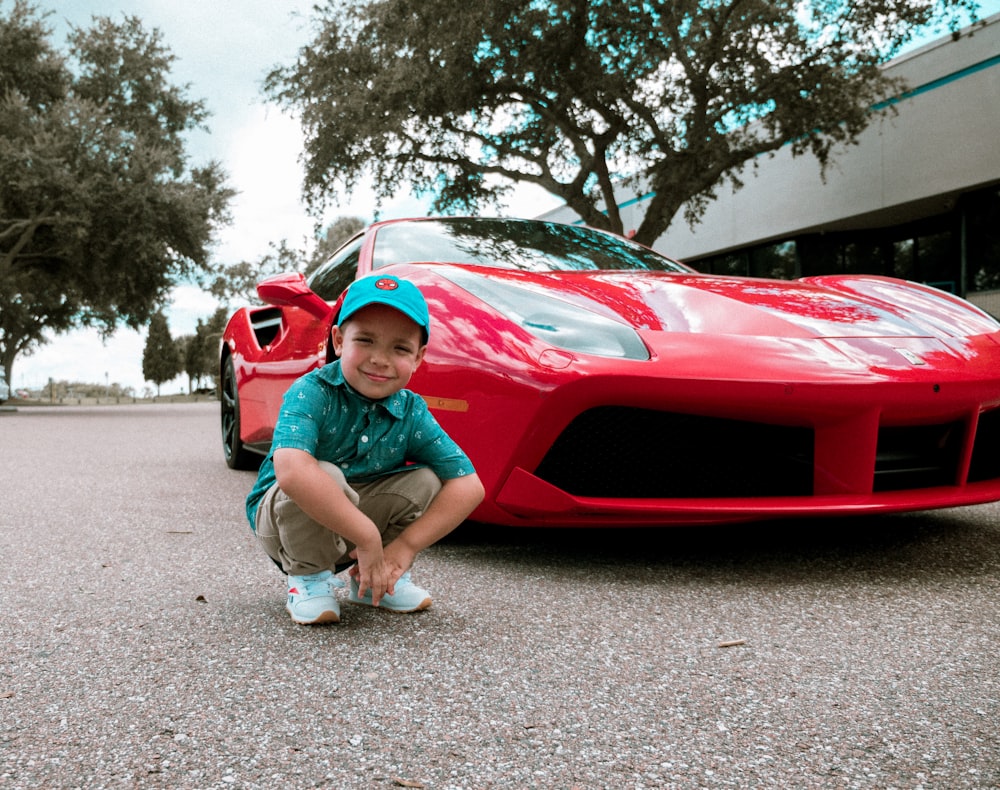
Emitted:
<point x="580" y="96"/>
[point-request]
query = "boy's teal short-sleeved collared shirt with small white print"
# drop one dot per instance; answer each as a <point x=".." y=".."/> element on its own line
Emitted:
<point x="368" y="439"/>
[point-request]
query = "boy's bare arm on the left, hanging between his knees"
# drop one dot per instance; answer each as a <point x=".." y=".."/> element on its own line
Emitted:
<point x="319" y="496"/>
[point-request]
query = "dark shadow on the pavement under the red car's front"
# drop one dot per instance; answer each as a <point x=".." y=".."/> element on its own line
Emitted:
<point x="918" y="544"/>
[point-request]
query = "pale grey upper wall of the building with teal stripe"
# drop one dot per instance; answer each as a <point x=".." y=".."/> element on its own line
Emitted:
<point x="942" y="141"/>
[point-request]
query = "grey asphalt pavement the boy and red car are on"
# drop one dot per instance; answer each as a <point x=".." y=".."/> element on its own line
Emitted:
<point x="144" y="643"/>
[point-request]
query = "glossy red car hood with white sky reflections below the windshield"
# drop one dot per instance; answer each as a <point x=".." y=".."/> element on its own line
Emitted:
<point x="821" y="307"/>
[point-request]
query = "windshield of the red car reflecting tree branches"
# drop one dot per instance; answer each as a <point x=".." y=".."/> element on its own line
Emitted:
<point x="513" y="244"/>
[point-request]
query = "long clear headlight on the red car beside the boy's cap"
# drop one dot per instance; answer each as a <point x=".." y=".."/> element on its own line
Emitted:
<point x="558" y="323"/>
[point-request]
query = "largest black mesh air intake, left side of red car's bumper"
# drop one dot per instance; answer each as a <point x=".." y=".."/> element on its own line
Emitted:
<point x="617" y="451"/>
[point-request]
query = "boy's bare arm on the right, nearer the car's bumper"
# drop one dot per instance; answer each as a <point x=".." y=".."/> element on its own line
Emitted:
<point x="457" y="498"/>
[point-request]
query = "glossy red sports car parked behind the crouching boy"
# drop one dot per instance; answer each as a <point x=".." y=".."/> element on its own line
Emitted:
<point x="595" y="382"/>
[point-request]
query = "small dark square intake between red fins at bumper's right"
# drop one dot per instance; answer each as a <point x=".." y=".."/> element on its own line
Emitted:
<point x="920" y="456"/>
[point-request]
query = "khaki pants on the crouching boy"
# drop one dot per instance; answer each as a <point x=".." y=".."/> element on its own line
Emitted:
<point x="302" y="546"/>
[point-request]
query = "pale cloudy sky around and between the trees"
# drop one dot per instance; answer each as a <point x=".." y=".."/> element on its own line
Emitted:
<point x="223" y="50"/>
